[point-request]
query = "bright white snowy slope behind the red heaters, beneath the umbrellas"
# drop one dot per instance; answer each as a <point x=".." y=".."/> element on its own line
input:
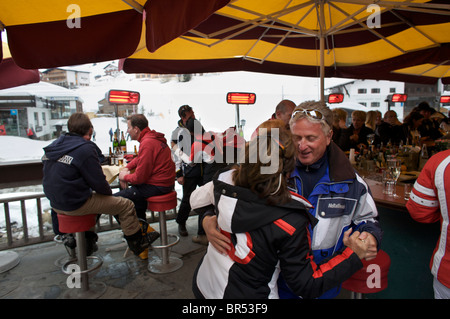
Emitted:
<point x="207" y="96"/>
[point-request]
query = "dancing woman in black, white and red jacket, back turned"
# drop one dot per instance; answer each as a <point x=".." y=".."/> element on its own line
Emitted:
<point x="269" y="230"/>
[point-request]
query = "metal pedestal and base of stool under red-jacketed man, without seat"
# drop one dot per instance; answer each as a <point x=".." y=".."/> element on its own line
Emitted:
<point x="167" y="263"/>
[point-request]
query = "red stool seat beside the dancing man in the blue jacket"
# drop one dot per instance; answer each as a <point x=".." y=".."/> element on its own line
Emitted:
<point x="360" y="283"/>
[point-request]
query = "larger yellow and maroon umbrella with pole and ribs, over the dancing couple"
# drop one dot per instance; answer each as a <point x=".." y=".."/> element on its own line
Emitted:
<point x="399" y="40"/>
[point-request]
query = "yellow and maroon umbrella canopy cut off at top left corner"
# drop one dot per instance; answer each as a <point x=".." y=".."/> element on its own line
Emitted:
<point x="52" y="33"/>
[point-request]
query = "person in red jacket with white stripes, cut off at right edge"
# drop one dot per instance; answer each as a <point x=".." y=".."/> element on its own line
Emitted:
<point x="429" y="203"/>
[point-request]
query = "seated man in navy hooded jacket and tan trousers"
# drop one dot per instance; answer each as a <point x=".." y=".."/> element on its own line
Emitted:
<point x="75" y="184"/>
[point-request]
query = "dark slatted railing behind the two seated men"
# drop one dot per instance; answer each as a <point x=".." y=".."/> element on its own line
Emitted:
<point x="22" y="237"/>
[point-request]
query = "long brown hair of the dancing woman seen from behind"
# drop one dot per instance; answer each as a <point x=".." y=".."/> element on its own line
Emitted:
<point x="249" y="174"/>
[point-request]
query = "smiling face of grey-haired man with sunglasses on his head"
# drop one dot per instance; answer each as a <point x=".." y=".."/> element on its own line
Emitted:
<point x="310" y="140"/>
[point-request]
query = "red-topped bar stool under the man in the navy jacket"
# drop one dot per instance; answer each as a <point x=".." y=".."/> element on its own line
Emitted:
<point x="78" y="225"/>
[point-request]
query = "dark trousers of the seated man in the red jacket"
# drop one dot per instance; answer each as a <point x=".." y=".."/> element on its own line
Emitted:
<point x="138" y="194"/>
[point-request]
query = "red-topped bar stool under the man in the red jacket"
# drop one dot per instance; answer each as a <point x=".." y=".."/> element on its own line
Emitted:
<point x="165" y="263"/>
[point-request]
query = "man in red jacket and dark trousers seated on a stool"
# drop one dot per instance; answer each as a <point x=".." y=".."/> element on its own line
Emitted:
<point x="152" y="172"/>
